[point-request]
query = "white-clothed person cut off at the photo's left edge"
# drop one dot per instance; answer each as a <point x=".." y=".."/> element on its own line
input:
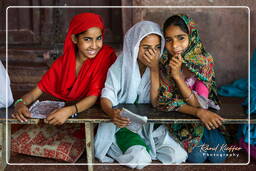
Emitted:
<point x="6" y="98"/>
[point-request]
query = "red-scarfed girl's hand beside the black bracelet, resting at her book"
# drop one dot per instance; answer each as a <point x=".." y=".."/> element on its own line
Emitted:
<point x="59" y="116"/>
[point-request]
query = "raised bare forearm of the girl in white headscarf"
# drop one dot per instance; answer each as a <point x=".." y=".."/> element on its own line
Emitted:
<point x="154" y="77"/>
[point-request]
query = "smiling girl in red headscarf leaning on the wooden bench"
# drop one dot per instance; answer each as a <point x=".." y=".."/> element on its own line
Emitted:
<point x="78" y="75"/>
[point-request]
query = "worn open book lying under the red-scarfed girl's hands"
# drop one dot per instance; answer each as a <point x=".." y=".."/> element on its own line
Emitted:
<point x="41" y="109"/>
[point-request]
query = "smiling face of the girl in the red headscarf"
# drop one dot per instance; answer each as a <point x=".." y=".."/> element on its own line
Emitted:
<point x="88" y="43"/>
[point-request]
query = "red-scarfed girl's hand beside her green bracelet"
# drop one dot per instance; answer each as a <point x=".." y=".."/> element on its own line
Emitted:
<point x="21" y="112"/>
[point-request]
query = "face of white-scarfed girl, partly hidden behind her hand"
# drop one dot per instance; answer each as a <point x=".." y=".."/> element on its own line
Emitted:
<point x="151" y="41"/>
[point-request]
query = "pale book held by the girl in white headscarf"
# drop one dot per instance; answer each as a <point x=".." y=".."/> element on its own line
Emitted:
<point x="137" y="121"/>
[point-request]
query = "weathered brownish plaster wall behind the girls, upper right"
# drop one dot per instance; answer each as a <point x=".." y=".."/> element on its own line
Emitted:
<point x="224" y="31"/>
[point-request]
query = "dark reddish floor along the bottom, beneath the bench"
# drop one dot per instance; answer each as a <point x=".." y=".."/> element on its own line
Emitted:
<point x="19" y="158"/>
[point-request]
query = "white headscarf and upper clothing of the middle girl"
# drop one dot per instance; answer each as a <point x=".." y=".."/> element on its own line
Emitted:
<point x="124" y="82"/>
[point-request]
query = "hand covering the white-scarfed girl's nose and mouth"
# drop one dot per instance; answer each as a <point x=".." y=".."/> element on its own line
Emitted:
<point x="151" y="58"/>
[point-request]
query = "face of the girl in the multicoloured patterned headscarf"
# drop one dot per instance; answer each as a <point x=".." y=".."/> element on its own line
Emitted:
<point x="176" y="40"/>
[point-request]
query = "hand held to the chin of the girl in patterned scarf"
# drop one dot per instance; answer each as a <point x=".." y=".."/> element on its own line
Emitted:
<point x="175" y="66"/>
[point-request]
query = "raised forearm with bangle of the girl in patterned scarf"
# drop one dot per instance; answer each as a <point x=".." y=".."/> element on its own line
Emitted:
<point x="186" y="92"/>
